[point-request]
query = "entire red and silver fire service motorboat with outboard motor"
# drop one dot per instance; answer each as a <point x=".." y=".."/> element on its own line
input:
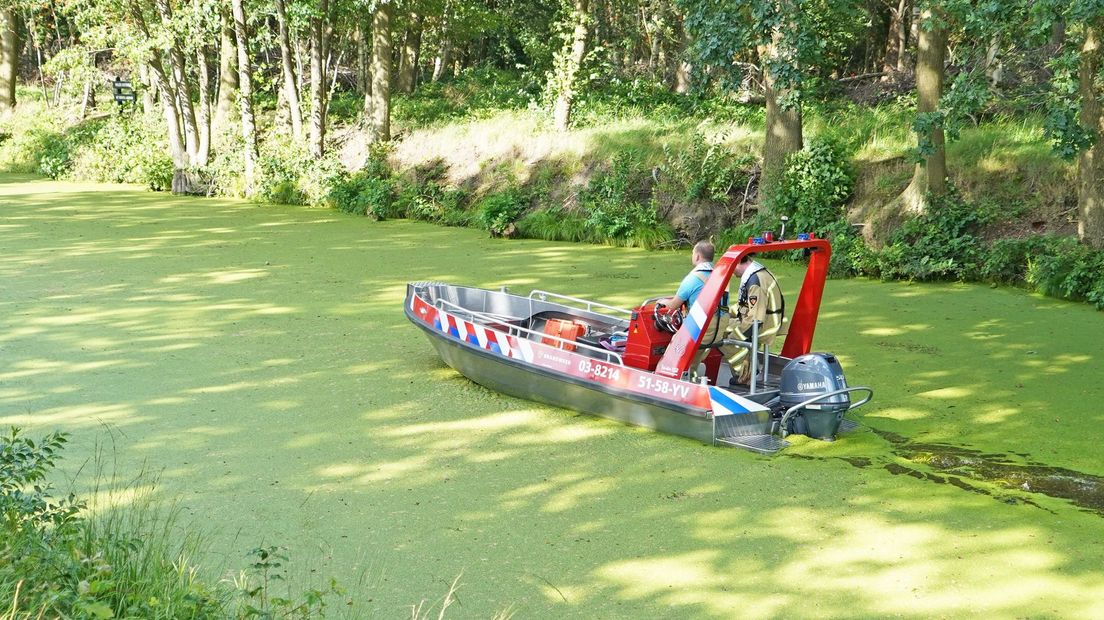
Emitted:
<point x="634" y="365"/>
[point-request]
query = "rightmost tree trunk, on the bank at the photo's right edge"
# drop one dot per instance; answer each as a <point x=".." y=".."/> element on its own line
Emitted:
<point x="1091" y="162"/>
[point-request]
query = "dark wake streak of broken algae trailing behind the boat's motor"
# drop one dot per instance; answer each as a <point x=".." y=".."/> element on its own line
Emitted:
<point x="1084" y="490"/>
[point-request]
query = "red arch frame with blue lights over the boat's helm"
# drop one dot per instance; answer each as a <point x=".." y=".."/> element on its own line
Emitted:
<point x="803" y="322"/>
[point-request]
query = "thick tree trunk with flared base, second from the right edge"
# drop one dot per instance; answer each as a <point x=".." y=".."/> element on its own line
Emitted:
<point x="930" y="177"/>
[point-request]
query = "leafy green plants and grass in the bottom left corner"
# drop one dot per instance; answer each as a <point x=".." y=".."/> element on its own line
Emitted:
<point x="57" y="561"/>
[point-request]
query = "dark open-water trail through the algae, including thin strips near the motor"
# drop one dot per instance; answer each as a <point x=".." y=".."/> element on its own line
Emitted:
<point x="965" y="468"/>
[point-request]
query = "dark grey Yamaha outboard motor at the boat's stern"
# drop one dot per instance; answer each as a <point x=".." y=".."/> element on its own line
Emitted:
<point x="808" y="378"/>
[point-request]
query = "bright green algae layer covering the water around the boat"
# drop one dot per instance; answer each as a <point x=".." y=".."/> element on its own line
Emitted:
<point x="259" y="359"/>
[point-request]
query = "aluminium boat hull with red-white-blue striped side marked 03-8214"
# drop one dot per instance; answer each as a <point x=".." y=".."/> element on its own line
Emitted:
<point x="492" y="357"/>
